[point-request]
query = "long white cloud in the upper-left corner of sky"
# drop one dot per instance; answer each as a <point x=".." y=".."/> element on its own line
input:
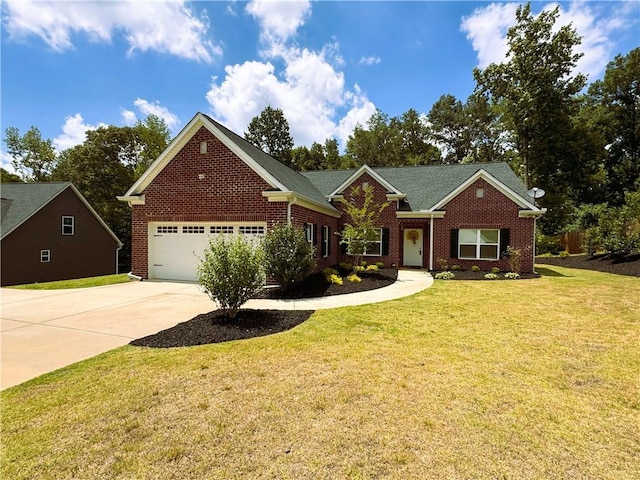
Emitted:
<point x="164" y="26"/>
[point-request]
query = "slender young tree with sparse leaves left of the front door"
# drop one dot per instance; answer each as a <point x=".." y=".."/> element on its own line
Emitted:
<point x="363" y="218"/>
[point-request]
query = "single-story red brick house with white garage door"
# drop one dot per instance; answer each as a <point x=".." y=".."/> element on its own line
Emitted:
<point x="210" y="180"/>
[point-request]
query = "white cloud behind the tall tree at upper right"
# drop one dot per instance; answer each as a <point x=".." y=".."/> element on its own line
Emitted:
<point x="486" y="28"/>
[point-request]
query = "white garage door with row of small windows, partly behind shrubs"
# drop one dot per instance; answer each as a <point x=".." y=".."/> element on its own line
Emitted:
<point x="175" y="249"/>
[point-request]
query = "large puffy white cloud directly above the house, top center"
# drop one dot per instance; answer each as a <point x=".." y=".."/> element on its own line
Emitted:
<point x="310" y="89"/>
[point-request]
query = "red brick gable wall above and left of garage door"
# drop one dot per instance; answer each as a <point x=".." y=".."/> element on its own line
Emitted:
<point x="229" y="191"/>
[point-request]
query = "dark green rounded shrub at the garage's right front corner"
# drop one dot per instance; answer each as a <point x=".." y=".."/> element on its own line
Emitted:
<point x="288" y="254"/>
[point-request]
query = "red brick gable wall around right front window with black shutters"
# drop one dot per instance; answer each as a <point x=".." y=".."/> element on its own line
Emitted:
<point x="493" y="211"/>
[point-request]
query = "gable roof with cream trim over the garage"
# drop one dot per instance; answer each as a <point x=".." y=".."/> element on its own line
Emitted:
<point x="275" y="173"/>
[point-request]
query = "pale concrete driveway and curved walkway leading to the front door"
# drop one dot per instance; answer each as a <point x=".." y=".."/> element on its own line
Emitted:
<point x="43" y="330"/>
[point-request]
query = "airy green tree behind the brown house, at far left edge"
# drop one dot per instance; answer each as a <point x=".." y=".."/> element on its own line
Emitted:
<point x="32" y="156"/>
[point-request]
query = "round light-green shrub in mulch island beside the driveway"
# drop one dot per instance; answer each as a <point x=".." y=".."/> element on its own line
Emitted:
<point x="231" y="272"/>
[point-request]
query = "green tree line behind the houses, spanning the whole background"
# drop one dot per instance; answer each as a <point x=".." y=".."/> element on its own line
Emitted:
<point x="581" y="145"/>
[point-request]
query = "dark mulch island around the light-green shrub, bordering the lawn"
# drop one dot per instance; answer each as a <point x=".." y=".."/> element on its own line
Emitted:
<point x="216" y="327"/>
